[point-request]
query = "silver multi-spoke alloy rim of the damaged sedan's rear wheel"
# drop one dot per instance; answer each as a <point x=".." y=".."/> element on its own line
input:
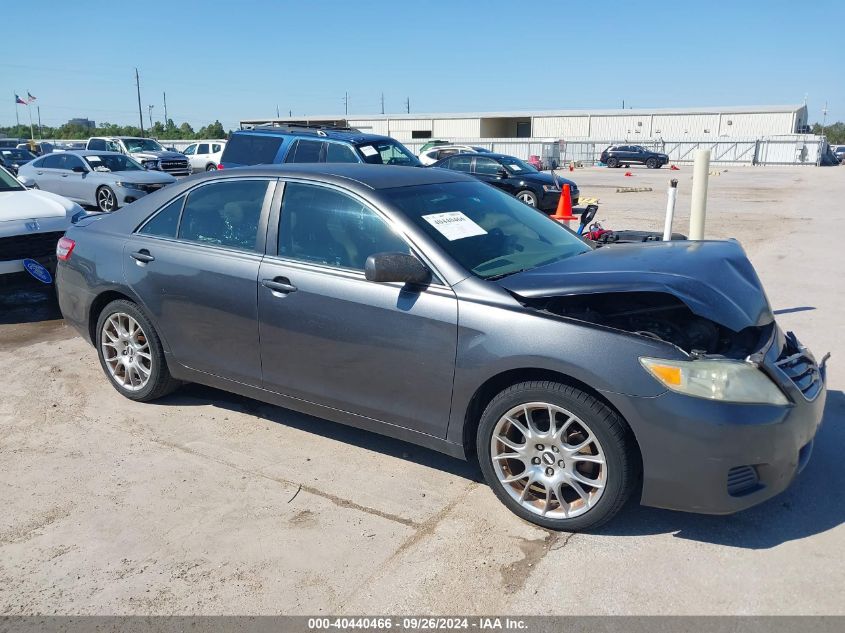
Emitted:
<point x="126" y="351"/>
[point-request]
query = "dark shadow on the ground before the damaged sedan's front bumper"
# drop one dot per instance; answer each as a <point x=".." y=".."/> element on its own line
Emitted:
<point x="814" y="503"/>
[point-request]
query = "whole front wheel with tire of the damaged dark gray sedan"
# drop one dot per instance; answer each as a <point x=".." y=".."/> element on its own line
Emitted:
<point x="556" y="456"/>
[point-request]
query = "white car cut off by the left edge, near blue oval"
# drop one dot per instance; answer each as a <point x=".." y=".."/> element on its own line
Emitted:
<point x="31" y="222"/>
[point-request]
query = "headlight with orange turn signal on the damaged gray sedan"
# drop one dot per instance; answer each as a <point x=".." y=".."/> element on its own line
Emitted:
<point x="726" y="380"/>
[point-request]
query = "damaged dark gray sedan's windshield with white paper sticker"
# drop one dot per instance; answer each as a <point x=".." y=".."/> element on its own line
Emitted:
<point x="489" y="232"/>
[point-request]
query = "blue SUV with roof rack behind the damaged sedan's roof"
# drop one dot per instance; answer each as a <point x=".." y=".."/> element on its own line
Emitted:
<point x="305" y="144"/>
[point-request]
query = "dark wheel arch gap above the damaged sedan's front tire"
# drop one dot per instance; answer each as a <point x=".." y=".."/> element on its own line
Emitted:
<point x="501" y="381"/>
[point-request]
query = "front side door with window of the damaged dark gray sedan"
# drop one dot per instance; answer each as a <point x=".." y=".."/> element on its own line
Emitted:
<point x="329" y="336"/>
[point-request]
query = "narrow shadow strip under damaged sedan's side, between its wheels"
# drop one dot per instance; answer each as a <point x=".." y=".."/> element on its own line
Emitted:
<point x="193" y="394"/>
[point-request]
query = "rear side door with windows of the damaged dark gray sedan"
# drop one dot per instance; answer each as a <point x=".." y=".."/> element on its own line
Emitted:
<point x="194" y="266"/>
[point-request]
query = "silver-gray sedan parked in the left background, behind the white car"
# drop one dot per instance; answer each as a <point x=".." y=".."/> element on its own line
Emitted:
<point x="106" y="180"/>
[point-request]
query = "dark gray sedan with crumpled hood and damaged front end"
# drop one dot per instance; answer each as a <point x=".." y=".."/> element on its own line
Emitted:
<point x="429" y="306"/>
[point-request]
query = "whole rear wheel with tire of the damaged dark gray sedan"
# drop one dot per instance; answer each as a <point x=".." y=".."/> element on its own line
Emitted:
<point x="131" y="353"/>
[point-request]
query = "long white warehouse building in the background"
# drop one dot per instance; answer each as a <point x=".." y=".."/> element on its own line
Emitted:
<point x="734" y="134"/>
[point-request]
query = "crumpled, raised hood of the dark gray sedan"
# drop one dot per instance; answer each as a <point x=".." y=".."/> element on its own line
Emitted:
<point x="714" y="279"/>
